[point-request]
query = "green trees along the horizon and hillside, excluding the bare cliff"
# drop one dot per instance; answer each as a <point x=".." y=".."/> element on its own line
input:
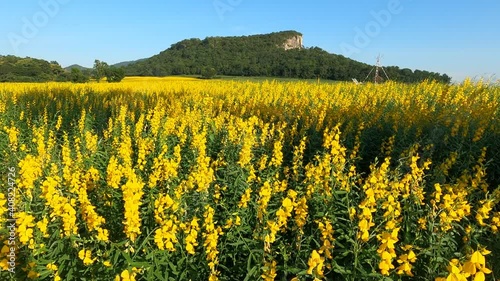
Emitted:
<point x="256" y="55"/>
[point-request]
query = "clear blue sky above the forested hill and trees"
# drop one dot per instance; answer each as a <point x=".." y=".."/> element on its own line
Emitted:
<point x="460" y="38"/>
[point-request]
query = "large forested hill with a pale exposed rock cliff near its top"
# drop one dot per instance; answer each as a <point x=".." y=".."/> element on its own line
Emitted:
<point x="279" y="54"/>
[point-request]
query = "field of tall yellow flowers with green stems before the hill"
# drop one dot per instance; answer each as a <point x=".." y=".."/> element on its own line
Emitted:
<point x="187" y="179"/>
